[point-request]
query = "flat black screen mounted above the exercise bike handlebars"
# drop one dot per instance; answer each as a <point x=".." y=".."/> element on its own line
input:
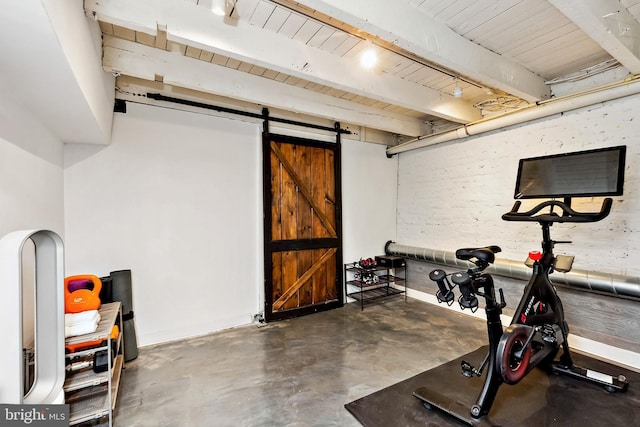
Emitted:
<point x="588" y="173"/>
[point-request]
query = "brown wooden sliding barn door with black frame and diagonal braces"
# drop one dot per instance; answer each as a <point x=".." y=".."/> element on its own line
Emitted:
<point x="302" y="210"/>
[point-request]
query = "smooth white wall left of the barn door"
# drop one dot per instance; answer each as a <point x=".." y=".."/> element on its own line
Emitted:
<point x="176" y="199"/>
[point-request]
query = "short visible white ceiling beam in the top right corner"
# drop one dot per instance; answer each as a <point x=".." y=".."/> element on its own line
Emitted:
<point x="609" y="24"/>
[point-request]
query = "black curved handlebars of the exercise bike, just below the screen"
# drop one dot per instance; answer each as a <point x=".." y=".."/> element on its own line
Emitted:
<point x="568" y="214"/>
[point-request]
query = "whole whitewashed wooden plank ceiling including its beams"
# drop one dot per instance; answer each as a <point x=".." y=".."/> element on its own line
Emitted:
<point x="303" y="56"/>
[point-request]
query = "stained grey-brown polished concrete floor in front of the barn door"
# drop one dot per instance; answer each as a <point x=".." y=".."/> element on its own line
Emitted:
<point x="298" y="372"/>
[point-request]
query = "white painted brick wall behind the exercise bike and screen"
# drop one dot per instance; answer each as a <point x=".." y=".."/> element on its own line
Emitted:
<point x="452" y="195"/>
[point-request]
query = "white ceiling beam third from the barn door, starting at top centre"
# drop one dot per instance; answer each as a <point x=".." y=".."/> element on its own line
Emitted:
<point x="407" y="27"/>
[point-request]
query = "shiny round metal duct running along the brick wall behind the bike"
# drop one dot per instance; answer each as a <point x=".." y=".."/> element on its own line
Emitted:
<point x="604" y="283"/>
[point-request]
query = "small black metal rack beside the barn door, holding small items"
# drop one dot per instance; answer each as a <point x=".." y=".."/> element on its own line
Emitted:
<point x="369" y="284"/>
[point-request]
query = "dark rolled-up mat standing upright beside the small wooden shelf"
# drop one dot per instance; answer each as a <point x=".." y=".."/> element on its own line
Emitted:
<point x="121" y="291"/>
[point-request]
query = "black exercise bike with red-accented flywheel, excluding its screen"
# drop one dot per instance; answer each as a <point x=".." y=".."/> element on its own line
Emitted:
<point x="538" y="329"/>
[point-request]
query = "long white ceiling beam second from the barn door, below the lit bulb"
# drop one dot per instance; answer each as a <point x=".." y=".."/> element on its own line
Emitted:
<point x="192" y="25"/>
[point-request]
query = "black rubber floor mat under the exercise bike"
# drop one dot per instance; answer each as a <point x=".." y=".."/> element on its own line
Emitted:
<point x="540" y="399"/>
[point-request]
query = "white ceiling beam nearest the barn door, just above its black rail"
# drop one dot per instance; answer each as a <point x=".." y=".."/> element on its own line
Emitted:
<point x="124" y="57"/>
